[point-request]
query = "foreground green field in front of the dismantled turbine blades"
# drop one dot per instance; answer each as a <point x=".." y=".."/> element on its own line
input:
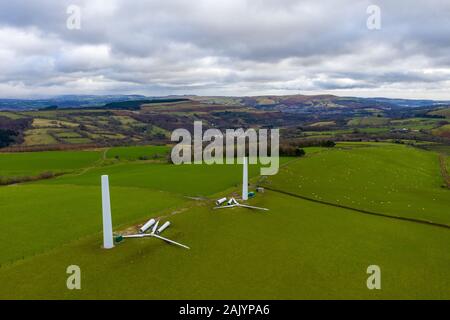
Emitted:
<point x="297" y="250"/>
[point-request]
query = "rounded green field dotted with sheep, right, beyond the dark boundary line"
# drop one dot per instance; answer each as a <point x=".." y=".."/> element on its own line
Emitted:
<point x="392" y="179"/>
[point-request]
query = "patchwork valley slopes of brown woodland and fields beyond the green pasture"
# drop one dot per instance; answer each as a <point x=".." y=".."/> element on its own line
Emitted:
<point x="151" y="122"/>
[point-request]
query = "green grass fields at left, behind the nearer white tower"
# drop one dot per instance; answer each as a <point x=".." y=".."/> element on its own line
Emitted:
<point x="45" y="214"/>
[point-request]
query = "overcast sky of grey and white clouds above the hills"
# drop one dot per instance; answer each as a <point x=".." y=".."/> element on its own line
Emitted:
<point x="225" y="47"/>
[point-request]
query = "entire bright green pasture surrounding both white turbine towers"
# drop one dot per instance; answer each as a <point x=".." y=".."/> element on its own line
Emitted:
<point x="298" y="249"/>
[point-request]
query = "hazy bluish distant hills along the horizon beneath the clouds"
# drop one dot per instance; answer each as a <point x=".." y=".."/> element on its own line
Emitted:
<point x="288" y="103"/>
